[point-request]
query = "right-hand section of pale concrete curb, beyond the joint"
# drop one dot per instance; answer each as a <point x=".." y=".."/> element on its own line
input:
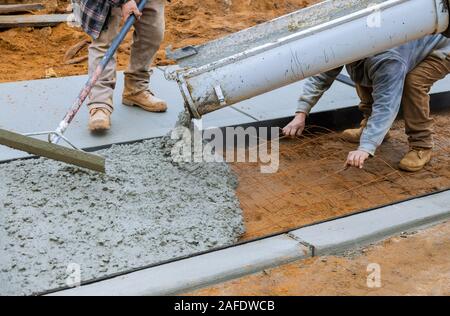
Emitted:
<point x="358" y="230"/>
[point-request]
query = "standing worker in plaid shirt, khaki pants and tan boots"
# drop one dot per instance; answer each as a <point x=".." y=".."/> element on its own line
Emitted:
<point x="101" y="20"/>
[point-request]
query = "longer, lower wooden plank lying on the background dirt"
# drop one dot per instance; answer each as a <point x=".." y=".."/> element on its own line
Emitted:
<point x="8" y="21"/>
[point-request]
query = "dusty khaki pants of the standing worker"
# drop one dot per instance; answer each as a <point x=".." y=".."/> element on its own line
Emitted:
<point x="147" y="37"/>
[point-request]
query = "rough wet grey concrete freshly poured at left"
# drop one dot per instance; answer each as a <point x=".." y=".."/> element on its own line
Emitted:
<point x="146" y="210"/>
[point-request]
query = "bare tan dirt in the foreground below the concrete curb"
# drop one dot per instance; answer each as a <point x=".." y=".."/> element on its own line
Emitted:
<point x="417" y="264"/>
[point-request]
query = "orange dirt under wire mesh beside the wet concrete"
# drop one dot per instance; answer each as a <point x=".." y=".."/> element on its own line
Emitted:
<point x="312" y="186"/>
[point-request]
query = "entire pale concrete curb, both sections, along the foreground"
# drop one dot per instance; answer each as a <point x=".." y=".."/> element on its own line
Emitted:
<point x="326" y="238"/>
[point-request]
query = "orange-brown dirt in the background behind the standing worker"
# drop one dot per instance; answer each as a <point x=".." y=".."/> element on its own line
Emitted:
<point x="35" y="53"/>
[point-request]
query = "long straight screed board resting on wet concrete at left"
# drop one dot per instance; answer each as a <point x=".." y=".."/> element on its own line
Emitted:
<point x="56" y="152"/>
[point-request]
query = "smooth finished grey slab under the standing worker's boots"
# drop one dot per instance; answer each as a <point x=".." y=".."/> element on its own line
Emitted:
<point x="39" y="105"/>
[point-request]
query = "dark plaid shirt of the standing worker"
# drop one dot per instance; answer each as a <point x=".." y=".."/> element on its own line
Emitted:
<point x="94" y="14"/>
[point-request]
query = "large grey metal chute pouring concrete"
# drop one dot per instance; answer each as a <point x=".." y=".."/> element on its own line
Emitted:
<point x="308" y="46"/>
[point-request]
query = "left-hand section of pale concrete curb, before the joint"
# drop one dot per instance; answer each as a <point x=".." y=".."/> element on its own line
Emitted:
<point x="200" y="271"/>
